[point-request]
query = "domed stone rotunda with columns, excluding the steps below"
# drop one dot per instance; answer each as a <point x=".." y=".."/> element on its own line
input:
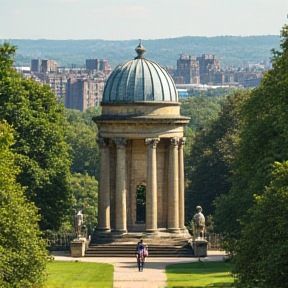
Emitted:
<point x="140" y="135"/>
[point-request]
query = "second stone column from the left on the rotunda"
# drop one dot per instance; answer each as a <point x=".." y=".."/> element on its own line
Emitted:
<point x="120" y="199"/>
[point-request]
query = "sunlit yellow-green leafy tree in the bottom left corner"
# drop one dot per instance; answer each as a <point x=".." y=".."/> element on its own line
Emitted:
<point x="22" y="251"/>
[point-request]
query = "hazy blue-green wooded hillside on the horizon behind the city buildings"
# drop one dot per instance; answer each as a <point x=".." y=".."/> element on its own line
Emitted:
<point x="230" y="50"/>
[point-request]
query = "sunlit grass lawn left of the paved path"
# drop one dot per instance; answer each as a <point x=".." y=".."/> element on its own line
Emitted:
<point x="79" y="275"/>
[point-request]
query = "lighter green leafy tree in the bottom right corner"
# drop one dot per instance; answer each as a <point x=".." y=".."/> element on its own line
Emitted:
<point x="262" y="250"/>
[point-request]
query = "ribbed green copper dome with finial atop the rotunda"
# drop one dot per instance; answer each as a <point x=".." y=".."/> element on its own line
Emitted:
<point x="139" y="80"/>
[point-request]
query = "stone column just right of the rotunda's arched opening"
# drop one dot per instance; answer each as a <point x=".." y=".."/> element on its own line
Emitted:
<point x="151" y="189"/>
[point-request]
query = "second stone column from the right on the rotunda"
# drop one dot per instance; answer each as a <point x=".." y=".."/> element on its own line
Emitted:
<point x="173" y="188"/>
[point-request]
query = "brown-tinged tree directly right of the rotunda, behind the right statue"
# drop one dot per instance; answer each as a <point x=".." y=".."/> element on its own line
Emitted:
<point x="209" y="165"/>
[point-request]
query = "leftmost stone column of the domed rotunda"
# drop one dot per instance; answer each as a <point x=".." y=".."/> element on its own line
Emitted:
<point x="104" y="187"/>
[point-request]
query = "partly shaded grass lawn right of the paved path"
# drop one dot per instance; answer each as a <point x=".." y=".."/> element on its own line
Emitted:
<point x="200" y="274"/>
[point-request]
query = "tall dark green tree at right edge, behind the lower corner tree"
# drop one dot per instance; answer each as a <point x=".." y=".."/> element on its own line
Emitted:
<point x="263" y="140"/>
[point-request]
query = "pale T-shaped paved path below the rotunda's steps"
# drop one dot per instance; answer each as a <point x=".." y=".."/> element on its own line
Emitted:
<point x="126" y="274"/>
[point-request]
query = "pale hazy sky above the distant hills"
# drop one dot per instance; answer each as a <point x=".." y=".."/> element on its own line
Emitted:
<point x="146" y="19"/>
